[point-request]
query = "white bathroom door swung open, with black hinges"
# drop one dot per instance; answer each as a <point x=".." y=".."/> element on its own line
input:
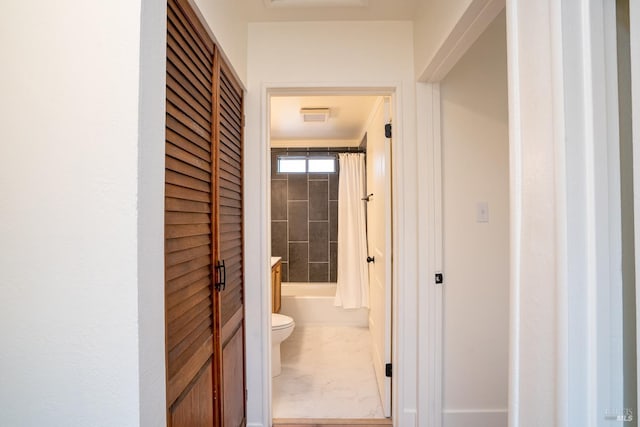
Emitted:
<point x="379" y="246"/>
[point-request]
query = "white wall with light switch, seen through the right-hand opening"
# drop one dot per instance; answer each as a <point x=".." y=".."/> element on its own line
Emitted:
<point x="475" y="150"/>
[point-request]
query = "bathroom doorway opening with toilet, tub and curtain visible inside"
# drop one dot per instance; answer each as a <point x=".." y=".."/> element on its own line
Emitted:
<point x="331" y="284"/>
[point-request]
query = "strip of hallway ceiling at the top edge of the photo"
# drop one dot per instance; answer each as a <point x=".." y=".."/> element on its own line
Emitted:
<point x="328" y="10"/>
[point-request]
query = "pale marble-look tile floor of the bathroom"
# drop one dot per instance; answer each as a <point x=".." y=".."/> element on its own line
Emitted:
<point x="327" y="372"/>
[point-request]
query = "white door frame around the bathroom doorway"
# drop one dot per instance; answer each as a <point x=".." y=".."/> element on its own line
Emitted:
<point x="393" y="91"/>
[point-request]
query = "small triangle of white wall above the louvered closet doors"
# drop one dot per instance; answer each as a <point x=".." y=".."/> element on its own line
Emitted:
<point x="228" y="23"/>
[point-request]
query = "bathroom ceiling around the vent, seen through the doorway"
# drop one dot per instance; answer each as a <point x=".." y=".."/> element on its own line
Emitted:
<point x="345" y="126"/>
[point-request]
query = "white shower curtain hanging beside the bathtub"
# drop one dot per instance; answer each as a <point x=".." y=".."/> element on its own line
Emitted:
<point x="353" y="272"/>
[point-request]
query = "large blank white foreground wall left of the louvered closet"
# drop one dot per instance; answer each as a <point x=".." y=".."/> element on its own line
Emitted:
<point x="68" y="217"/>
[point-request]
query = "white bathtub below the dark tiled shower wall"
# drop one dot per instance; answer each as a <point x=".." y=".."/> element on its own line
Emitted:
<point x="312" y="303"/>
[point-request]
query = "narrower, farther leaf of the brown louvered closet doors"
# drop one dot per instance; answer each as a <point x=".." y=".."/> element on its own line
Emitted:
<point x="229" y="129"/>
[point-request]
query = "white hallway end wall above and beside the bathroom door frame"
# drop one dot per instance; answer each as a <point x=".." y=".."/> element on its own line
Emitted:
<point x="329" y="54"/>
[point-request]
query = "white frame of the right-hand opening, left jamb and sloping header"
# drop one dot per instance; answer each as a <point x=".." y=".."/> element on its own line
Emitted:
<point x="477" y="17"/>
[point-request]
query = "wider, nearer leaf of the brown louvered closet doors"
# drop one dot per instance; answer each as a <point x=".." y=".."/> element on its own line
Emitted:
<point x="191" y="300"/>
